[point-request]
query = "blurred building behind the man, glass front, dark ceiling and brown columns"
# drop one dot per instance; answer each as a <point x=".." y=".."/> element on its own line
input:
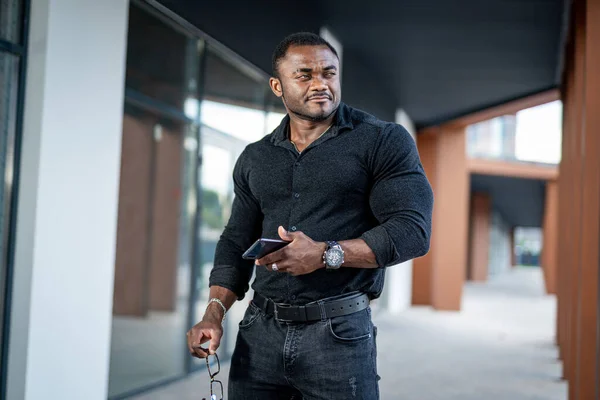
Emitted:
<point x="121" y="121"/>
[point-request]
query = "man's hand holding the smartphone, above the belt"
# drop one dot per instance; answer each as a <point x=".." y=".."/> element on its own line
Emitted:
<point x="302" y="256"/>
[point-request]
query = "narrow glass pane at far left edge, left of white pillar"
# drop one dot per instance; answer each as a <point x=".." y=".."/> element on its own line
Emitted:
<point x="9" y="74"/>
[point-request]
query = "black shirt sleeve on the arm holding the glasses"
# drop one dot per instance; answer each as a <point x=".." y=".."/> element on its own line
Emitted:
<point x="230" y="270"/>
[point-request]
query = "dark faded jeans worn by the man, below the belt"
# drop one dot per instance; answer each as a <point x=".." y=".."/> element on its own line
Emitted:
<point x="330" y="359"/>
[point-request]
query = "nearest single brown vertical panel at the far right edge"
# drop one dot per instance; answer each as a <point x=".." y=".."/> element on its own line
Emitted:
<point x="585" y="381"/>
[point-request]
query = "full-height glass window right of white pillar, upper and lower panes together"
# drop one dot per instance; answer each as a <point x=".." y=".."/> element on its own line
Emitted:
<point x="157" y="207"/>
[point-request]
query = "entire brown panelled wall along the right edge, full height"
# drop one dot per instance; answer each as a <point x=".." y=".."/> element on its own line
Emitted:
<point x="579" y="204"/>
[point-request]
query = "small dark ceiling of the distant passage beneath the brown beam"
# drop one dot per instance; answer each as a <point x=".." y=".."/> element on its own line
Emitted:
<point x="519" y="201"/>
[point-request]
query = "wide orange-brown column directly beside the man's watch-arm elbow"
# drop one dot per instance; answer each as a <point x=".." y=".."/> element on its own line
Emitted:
<point x="438" y="277"/>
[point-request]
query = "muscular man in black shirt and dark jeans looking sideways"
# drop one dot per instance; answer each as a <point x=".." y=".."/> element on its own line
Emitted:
<point x="350" y="194"/>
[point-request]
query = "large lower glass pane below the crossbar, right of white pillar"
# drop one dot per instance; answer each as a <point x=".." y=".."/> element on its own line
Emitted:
<point x="153" y="257"/>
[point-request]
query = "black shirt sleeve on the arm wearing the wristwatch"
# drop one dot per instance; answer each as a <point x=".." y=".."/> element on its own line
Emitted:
<point x="401" y="199"/>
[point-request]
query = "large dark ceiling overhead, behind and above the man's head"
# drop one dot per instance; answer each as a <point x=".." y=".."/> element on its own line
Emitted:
<point x="436" y="59"/>
